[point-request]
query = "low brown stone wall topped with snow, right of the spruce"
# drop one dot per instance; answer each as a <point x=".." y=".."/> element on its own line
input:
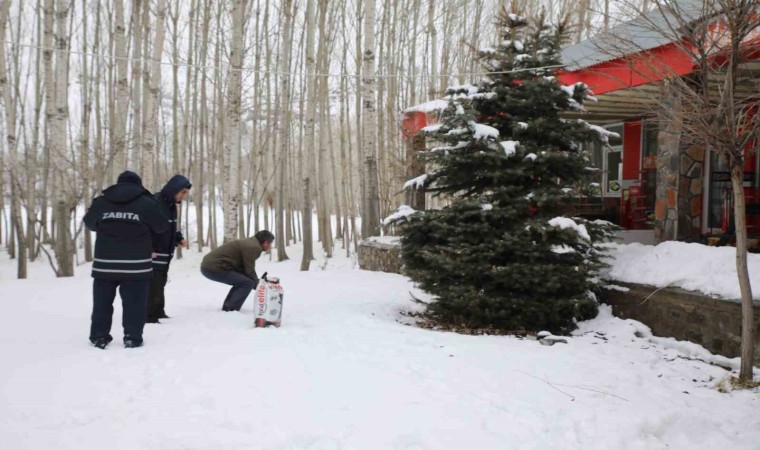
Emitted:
<point x="671" y="312"/>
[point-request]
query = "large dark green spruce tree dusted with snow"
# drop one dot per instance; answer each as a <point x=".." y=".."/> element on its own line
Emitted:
<point x="505" y="253"/>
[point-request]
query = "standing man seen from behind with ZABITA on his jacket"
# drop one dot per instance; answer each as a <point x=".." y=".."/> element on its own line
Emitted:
<point x="125" y="217"/>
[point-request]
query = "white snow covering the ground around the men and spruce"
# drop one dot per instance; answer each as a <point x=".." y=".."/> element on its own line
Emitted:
<point x="342" y="373"/>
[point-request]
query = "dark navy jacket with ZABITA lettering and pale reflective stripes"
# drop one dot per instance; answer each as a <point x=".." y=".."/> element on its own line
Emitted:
<point x="125" y="218"/>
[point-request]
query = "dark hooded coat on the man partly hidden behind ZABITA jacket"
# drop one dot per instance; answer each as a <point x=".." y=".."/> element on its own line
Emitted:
<point x="164" y="243"/>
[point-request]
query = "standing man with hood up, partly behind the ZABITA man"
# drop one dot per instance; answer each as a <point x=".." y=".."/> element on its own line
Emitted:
<point x="174" y="192"/>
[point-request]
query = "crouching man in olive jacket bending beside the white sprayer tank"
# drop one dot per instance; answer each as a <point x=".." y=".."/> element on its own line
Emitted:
<point x="234" y="263"/>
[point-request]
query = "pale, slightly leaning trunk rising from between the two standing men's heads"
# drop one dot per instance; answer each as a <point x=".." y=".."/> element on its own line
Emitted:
<point x="153" y="102"/>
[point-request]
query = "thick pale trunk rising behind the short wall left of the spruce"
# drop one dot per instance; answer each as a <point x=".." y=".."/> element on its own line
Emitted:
<point x="371" y="216"/>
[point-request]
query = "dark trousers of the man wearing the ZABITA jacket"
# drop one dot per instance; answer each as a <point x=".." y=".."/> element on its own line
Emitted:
<point x="134" y="296"/>
